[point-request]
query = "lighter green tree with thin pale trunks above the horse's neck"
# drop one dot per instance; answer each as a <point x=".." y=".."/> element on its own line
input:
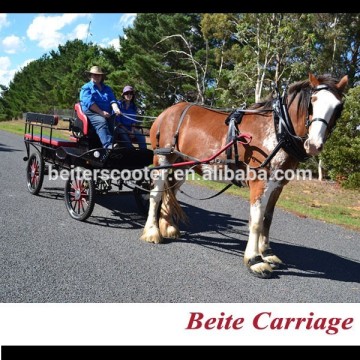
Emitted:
<point x="271" y="47"/>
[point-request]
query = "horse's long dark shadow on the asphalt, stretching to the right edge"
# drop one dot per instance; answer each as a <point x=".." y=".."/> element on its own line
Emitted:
<point x="300" y="261"/>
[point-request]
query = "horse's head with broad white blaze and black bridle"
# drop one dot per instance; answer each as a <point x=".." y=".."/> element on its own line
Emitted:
<point x="324" y="109"/>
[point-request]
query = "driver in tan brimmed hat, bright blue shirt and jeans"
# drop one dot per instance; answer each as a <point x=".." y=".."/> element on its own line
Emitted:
<point x="98" y="102"/>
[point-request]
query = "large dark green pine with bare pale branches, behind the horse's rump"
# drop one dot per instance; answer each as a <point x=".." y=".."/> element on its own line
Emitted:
<point x="167" y="59"/>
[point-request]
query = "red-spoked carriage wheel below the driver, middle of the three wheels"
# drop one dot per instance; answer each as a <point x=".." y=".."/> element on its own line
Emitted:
<point x="79" y="195"/>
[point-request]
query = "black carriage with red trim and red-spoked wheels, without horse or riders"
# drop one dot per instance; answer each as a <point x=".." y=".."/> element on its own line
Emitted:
<point x="83" y="157"/>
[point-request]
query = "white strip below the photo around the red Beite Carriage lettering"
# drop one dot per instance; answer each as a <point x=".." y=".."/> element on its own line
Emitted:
<point x="165" y="324"/>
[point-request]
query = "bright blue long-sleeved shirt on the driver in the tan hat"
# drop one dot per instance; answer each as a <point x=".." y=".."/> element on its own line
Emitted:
<point x="90" y="94"/>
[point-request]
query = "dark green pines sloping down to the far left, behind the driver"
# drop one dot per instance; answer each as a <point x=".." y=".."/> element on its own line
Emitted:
<point x="53" y="81"/>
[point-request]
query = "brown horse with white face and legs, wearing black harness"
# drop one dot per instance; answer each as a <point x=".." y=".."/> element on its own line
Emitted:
<point x="273" y="135"/>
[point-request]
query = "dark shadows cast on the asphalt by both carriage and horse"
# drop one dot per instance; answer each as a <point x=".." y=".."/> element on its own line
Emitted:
<point x="225" y="233"/>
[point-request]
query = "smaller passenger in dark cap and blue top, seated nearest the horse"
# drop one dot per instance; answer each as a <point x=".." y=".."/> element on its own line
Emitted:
<point x="126" y="130"/>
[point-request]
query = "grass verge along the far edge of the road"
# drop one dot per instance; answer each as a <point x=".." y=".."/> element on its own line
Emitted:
<point x="321" y="200"/>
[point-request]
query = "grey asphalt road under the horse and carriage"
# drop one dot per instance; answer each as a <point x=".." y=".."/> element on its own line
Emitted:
<point x="46" y="256"/>
